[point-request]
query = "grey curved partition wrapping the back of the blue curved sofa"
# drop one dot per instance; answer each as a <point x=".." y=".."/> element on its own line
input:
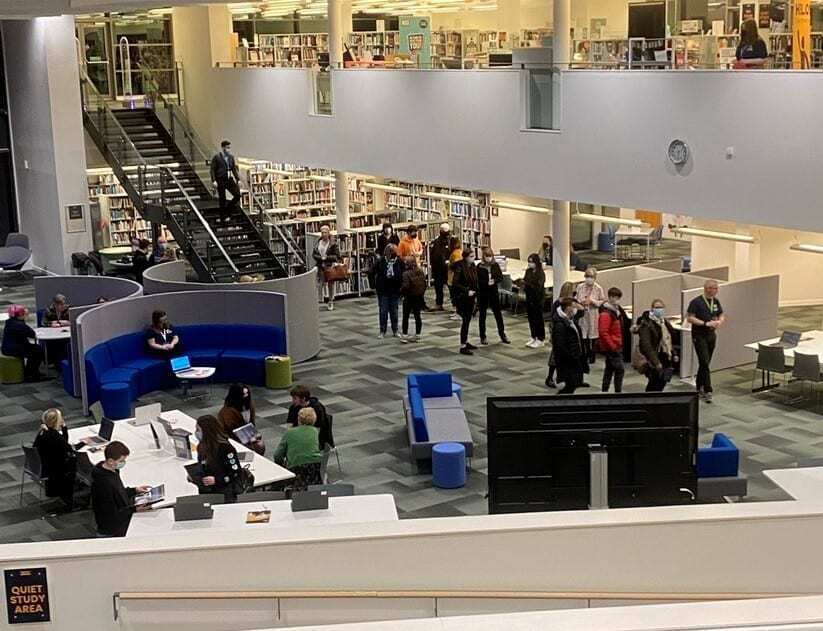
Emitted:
<point x="104" y="322"/>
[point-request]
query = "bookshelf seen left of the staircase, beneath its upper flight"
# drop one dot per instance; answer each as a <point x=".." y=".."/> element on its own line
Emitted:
<point x="116" y="219"/>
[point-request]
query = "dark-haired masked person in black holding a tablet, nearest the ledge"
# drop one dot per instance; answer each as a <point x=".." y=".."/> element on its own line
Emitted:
<point x="112" y="502"/>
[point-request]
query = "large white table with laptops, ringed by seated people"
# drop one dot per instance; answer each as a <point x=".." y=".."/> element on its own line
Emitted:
<point x="148" y="465"/>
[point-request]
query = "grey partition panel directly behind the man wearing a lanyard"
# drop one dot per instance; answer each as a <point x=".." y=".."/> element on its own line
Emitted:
<point x="751" y="309"/>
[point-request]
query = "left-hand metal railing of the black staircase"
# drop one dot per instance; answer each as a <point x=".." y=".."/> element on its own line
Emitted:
<point x="168" y="202"/>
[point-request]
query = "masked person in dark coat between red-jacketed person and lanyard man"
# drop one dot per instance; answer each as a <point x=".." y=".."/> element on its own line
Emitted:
<point x="656" y="348"/>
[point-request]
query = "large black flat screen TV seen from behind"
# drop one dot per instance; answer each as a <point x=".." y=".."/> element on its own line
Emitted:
<point x="539" y="450"/>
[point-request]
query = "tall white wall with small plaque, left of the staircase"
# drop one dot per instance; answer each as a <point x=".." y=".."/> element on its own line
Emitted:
<point x="47" y="130"/>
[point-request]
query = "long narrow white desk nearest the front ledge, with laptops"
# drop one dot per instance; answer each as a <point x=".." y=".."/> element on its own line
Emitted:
<point x="232" y="517"/>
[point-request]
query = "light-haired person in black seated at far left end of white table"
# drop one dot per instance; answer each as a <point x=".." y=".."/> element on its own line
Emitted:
<point x="57" y="457"/>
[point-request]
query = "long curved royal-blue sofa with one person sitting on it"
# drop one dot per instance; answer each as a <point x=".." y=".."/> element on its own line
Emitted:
<point x="237" y="351"/>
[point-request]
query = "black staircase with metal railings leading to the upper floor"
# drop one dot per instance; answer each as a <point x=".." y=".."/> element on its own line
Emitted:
<point x="169" y="187"/>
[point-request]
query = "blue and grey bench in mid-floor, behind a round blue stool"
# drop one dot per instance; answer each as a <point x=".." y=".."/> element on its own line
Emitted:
<point x="434" y="414"/>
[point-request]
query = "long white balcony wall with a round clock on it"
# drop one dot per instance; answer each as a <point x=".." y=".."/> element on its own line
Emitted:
<point x="464" y="128"/>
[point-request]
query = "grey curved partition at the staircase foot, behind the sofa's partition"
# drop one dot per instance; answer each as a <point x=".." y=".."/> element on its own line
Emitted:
<point x="304" y="318"/>
